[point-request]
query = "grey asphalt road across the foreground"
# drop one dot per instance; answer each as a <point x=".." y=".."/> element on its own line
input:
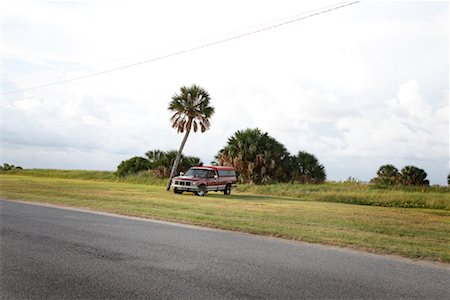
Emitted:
<point x="51" y="253"/>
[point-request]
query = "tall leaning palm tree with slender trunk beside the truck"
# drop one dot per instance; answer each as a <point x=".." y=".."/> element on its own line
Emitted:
<point x="192" y="111"/>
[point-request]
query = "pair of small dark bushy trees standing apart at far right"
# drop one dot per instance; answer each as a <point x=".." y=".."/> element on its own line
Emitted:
<point x="409" y="176"/>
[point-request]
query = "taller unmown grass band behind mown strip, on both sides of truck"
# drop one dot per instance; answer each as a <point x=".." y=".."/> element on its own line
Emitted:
<point x="435" y="197"/>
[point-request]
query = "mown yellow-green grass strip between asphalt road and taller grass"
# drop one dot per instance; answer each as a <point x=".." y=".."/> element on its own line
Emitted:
<point x="415" y="233"/>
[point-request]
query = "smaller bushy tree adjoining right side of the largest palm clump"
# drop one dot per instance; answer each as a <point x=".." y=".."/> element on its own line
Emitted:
<point x="307" y="169"/>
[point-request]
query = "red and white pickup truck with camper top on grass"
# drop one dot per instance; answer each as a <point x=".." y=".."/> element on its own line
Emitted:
<point x="201" y="180"/>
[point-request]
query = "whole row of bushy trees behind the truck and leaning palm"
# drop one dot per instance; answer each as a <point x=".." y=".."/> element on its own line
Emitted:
<point x="256" y="156"/>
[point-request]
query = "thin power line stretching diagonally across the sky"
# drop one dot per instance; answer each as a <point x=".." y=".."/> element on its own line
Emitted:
<point x="206" y="45"/>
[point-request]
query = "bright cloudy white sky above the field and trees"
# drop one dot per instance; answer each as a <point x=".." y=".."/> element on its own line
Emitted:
<point x="359" y="87"/>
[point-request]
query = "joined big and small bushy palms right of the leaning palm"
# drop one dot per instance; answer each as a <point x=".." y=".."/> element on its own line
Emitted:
<point x="259" y="158"/>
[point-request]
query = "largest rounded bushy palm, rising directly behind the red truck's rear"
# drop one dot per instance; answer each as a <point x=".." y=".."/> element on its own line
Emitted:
<point x="257" y="157"/>
